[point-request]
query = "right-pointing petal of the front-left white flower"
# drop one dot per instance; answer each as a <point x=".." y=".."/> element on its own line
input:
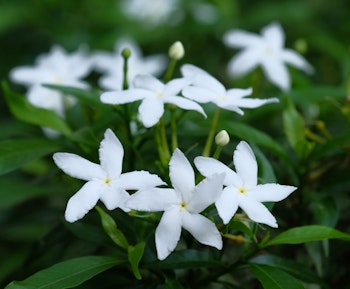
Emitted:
<point x="138" y="180"/>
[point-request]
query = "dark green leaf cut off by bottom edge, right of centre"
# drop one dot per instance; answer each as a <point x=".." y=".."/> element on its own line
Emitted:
<point x="273" y="278"/>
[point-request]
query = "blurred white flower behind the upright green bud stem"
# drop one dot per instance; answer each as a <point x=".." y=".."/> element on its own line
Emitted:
<point x="112" y="65"/>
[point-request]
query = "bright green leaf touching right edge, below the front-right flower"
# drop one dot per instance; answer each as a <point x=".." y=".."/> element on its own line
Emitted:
<point x="305" y="234"/>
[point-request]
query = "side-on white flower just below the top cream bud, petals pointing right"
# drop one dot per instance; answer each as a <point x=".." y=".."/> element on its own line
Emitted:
<point x="205" y="88"/>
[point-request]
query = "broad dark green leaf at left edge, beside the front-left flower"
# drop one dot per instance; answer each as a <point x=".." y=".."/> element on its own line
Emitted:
<point x="15" y="153"/>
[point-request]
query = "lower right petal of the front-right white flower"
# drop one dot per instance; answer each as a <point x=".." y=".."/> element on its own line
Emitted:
<point x="257" y="211"/>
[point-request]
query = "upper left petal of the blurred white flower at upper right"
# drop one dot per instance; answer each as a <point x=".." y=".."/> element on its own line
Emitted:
<point x="239" y="38"/>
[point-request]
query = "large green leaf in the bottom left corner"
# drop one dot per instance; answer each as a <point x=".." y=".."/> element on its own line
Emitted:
<point x="67" y="274"/>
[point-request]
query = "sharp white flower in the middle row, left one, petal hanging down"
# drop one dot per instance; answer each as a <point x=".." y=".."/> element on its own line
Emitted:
<point x="154" y="94"/>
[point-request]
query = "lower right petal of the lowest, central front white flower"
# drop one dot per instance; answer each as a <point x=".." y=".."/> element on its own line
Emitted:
<point x="202" y="229"/>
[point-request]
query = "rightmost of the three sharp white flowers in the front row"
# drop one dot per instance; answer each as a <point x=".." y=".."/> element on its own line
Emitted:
<point x="241" y="187"/>
